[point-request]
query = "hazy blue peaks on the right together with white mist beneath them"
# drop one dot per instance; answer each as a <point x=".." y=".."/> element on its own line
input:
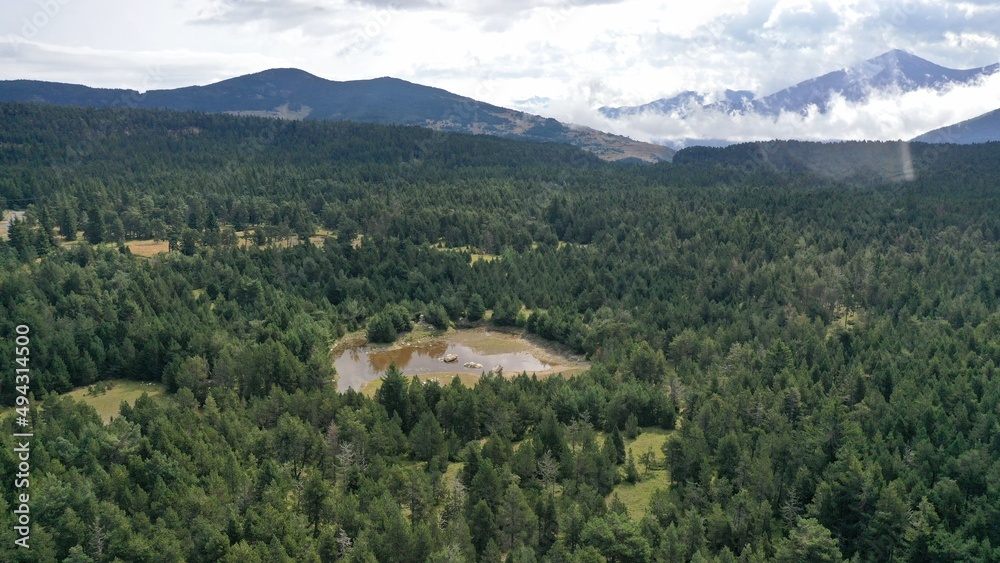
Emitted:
<point x="883" y="97"/>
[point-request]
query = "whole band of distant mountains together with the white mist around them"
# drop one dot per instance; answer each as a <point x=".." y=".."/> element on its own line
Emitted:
<point x="894" y="96"/>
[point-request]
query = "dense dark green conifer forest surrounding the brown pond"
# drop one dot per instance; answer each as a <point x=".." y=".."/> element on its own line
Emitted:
<point x="817" y="353"/>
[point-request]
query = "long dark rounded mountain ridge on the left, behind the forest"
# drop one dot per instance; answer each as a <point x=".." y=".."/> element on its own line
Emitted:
<point x="296" y="94"/>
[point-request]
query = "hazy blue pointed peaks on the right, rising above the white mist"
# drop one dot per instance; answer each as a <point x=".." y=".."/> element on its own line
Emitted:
<point x="895" y="71"/>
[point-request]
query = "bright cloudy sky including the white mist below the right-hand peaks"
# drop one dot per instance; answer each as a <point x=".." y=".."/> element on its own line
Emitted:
<point x="560" y="58"/>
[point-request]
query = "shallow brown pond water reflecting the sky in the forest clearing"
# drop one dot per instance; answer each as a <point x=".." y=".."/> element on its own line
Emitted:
<point x="358" y="365"/>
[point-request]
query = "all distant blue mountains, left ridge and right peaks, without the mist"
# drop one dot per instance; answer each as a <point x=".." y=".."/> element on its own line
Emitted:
<point x="296" y="94"/>
